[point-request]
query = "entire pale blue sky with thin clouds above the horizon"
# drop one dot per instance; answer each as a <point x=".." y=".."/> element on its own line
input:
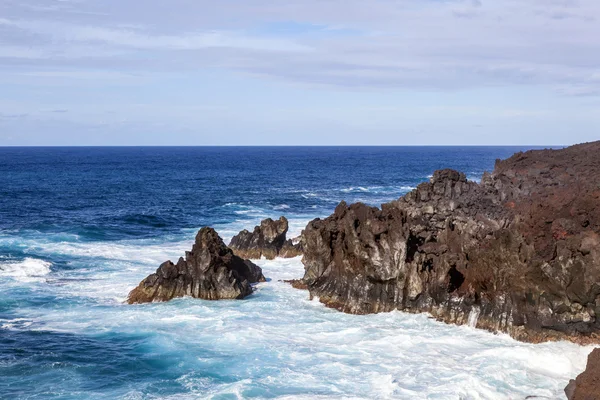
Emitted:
<point x="299" y="72"/>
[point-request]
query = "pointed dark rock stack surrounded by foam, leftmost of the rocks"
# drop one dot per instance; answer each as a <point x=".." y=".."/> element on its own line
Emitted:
<point x="210" y="271"/>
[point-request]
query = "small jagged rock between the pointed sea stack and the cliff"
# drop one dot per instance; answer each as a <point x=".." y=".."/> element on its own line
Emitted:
<point x="268" y="240"/>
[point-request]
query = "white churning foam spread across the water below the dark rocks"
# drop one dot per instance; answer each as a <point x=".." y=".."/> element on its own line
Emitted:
<point x="280" y="344"/>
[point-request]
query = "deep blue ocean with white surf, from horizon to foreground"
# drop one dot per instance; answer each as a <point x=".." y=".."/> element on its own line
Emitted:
<point x="80" y="227"/>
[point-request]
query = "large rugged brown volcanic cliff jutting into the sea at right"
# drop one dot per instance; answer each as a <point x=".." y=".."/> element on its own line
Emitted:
<point x="518" y="253"/>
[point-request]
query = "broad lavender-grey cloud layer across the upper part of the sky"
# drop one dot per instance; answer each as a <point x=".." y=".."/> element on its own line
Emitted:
<point x="432" y="45"/>
